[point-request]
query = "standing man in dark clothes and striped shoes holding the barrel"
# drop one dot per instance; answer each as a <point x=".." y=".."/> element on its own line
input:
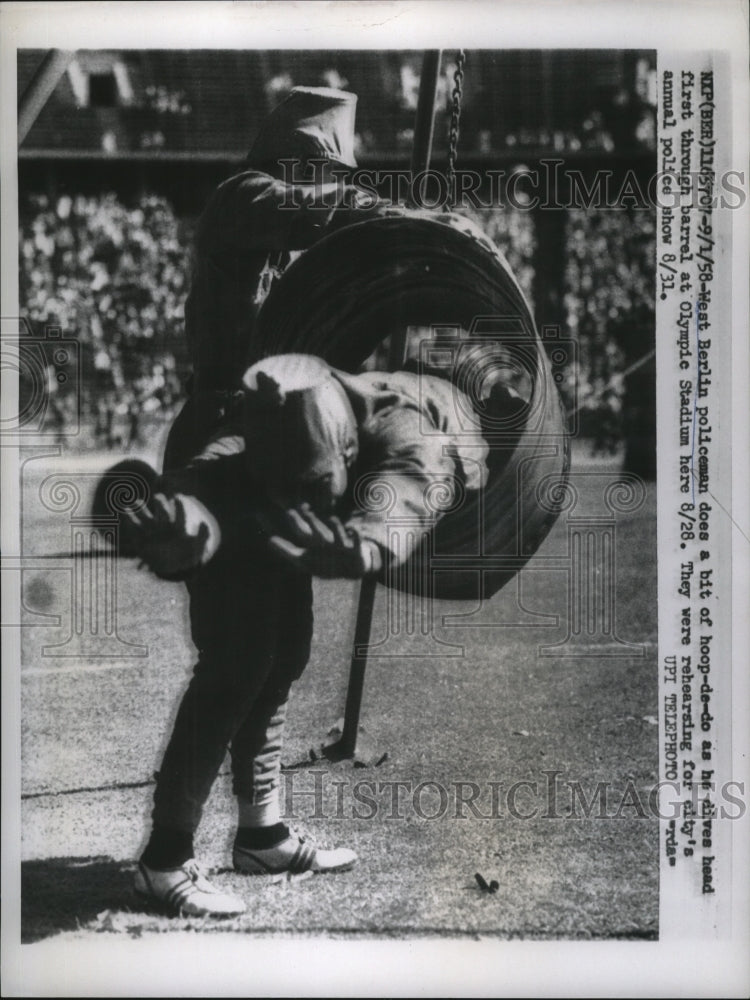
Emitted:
<point x="248" y="620"/>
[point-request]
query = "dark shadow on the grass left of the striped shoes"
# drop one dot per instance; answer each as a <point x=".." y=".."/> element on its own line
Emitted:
<point x="63" y="894"/>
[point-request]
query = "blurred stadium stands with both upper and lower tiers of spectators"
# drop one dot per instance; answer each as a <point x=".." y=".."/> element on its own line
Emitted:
<point x="109" y="199"/>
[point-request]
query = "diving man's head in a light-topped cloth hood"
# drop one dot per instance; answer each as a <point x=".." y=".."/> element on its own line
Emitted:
<point x="300" y="431"/>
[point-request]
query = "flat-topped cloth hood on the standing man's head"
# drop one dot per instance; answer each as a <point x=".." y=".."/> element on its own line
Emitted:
<point x="311" y="123"/>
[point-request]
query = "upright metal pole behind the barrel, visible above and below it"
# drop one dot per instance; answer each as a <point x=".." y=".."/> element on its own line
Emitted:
<point x="420" y="161"/>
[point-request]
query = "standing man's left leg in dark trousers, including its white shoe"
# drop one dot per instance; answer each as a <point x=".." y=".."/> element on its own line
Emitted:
<point x="235" y="615"/>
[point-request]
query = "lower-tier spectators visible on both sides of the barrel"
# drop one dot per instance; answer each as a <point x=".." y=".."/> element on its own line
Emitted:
<point x="115" y="278"/>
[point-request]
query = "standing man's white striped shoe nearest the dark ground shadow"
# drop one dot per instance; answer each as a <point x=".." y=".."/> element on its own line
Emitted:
<point x="185" y="891"/>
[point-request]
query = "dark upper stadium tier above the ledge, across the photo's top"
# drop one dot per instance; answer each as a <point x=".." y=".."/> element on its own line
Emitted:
<point x="207" y="105"/>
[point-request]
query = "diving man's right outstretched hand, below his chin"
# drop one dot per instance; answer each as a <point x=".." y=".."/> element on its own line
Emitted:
<point x="324" y="547"/>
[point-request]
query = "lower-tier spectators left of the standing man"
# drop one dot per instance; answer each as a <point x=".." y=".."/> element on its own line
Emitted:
<point x="114" y="277"/>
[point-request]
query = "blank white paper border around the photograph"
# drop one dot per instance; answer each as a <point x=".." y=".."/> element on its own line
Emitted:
<point x="308" y="967"/>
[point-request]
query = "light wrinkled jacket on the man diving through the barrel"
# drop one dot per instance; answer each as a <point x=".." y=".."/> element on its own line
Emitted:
<point x="420" y="452"/>
